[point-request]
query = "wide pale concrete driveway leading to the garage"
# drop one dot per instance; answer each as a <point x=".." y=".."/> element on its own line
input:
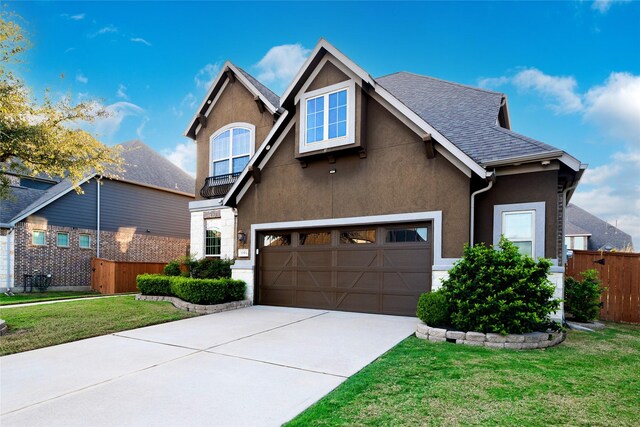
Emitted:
<point x="255" y="366"/>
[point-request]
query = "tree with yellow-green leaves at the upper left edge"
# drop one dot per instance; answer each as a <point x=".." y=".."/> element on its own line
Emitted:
<point x="43" y="137"/>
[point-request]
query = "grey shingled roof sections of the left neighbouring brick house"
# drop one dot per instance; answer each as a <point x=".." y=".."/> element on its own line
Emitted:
<point x="143" y="166"/>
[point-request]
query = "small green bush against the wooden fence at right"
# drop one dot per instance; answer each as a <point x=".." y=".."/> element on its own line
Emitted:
<point x="583" y="297"/>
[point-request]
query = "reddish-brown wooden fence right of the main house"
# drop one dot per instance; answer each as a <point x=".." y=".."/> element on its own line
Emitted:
<point x="620" y="274"/>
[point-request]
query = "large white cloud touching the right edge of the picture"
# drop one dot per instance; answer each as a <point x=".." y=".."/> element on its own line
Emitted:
<point x="615" y="107"/>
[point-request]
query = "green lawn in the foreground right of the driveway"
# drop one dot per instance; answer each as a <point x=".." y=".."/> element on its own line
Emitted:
<point x="590" y="379"/>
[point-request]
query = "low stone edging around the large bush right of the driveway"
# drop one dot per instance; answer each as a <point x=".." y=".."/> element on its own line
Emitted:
<point x="528" y="341"/>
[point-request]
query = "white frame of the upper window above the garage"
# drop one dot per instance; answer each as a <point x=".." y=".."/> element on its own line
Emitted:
<point x="349" y="138"/>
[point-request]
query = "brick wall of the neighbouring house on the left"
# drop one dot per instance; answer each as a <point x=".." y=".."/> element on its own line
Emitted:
<point x="71" y="266"/>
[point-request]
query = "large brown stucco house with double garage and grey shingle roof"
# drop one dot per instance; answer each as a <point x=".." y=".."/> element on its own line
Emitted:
<point x="356" y="193"/>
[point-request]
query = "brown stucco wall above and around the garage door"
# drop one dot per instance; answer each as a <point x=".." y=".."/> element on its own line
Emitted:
<point x="395" y="177"/>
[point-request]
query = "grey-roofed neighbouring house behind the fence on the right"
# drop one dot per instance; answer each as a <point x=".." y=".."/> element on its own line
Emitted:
<point x="588" y="232"/>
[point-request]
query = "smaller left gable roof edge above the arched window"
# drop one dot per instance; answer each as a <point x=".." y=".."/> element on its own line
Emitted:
<point x="259" y="90"/>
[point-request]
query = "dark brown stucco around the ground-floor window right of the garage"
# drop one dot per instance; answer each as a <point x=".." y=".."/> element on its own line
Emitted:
<point x="522" y="188"/>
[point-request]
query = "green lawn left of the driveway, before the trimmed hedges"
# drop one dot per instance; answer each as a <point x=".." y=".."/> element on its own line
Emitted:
<point x="50" y="324"/>
